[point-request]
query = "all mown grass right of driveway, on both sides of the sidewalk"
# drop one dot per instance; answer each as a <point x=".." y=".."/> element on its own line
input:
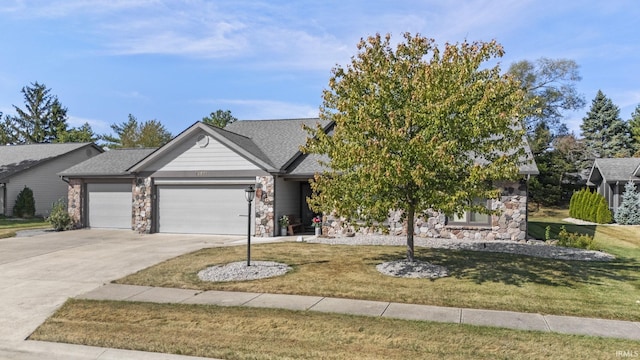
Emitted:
<point x="480" y="280"/>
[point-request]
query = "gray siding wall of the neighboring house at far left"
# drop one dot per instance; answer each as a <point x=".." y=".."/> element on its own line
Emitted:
<point x="43" y="180"/>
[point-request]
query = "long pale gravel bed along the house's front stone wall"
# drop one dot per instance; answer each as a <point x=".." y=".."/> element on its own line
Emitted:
<point x="537" y="249"/>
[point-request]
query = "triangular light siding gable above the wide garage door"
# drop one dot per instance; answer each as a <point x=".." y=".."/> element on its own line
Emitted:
<point x="191" y="156"/>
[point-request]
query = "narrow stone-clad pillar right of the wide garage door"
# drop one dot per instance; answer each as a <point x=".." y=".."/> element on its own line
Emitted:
<point x="263" y="206"/>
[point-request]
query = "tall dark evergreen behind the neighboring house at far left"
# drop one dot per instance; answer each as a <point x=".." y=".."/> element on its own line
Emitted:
<point x="42" y="119"/>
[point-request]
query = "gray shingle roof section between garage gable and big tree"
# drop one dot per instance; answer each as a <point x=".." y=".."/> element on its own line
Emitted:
<point x="280" y="140"/>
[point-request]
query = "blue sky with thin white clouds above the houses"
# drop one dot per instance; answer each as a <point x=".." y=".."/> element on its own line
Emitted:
<point x="178" y="60"/>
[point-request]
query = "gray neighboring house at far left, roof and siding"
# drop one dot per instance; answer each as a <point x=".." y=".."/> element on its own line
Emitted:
<point x="36" y="166"/>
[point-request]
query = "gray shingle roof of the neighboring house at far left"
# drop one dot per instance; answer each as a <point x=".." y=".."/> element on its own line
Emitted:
<point x="17" y="158"/>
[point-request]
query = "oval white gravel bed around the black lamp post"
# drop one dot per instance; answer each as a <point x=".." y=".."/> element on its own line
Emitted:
<point x="239" y="271"/>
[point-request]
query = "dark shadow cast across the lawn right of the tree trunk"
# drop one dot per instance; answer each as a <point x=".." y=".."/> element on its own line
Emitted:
<point x="510" y="269"/>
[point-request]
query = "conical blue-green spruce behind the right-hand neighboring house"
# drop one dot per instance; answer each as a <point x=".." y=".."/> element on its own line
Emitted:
<point x="605" y="134"/>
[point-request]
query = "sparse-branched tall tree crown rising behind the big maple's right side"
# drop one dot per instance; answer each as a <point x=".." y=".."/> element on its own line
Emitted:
<point x="551" y="87"/>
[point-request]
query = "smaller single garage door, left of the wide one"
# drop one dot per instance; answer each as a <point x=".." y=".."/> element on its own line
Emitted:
<point x="109" y="205"/>
